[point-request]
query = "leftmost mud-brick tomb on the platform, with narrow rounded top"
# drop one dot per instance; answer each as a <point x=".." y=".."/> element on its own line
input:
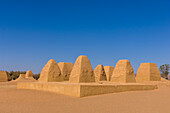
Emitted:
<point x="51" y="72"/>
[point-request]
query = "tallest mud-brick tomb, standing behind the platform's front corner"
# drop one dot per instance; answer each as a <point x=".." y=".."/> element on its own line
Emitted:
<point x="82" y="71"/>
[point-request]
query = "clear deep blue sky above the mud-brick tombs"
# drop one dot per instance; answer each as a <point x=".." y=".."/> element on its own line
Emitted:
<point x="32" y="32"/>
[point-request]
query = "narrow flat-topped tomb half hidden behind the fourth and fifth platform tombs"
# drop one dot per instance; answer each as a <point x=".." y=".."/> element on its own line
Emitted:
<point x="108" y="71"/>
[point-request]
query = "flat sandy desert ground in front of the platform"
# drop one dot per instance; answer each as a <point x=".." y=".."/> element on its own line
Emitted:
<point x="14" y="100"/>
